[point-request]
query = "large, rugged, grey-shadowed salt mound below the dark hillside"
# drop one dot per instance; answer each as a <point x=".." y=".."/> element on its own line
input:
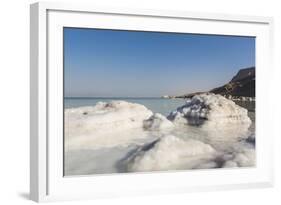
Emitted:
<point x="210" y="110"/>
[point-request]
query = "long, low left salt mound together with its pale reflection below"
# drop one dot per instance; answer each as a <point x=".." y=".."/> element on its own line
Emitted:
<point x="105" y="124"/>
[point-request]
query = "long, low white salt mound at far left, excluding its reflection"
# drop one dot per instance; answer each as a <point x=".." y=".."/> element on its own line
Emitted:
<point x="106" y="117"/>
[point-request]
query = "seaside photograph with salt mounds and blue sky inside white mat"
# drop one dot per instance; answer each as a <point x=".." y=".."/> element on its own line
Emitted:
<point x="148" y="101"/>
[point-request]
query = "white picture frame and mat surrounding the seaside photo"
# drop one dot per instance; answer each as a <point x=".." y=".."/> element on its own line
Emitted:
<point x="47" y="182"/>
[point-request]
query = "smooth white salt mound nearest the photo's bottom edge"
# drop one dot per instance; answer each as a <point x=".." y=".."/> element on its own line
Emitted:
<point x="170" y="153"/>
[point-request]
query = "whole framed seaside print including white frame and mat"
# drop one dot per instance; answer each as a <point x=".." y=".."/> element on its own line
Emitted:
<point x="127" y="102"/>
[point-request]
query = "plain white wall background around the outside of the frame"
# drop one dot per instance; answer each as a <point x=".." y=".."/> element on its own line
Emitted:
<point x="14" y="102"/>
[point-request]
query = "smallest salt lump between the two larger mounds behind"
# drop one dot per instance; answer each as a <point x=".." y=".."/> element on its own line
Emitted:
<point x="157" y="122"/>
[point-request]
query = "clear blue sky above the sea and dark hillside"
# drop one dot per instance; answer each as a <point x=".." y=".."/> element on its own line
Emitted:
<point x="111" y="63"/>
